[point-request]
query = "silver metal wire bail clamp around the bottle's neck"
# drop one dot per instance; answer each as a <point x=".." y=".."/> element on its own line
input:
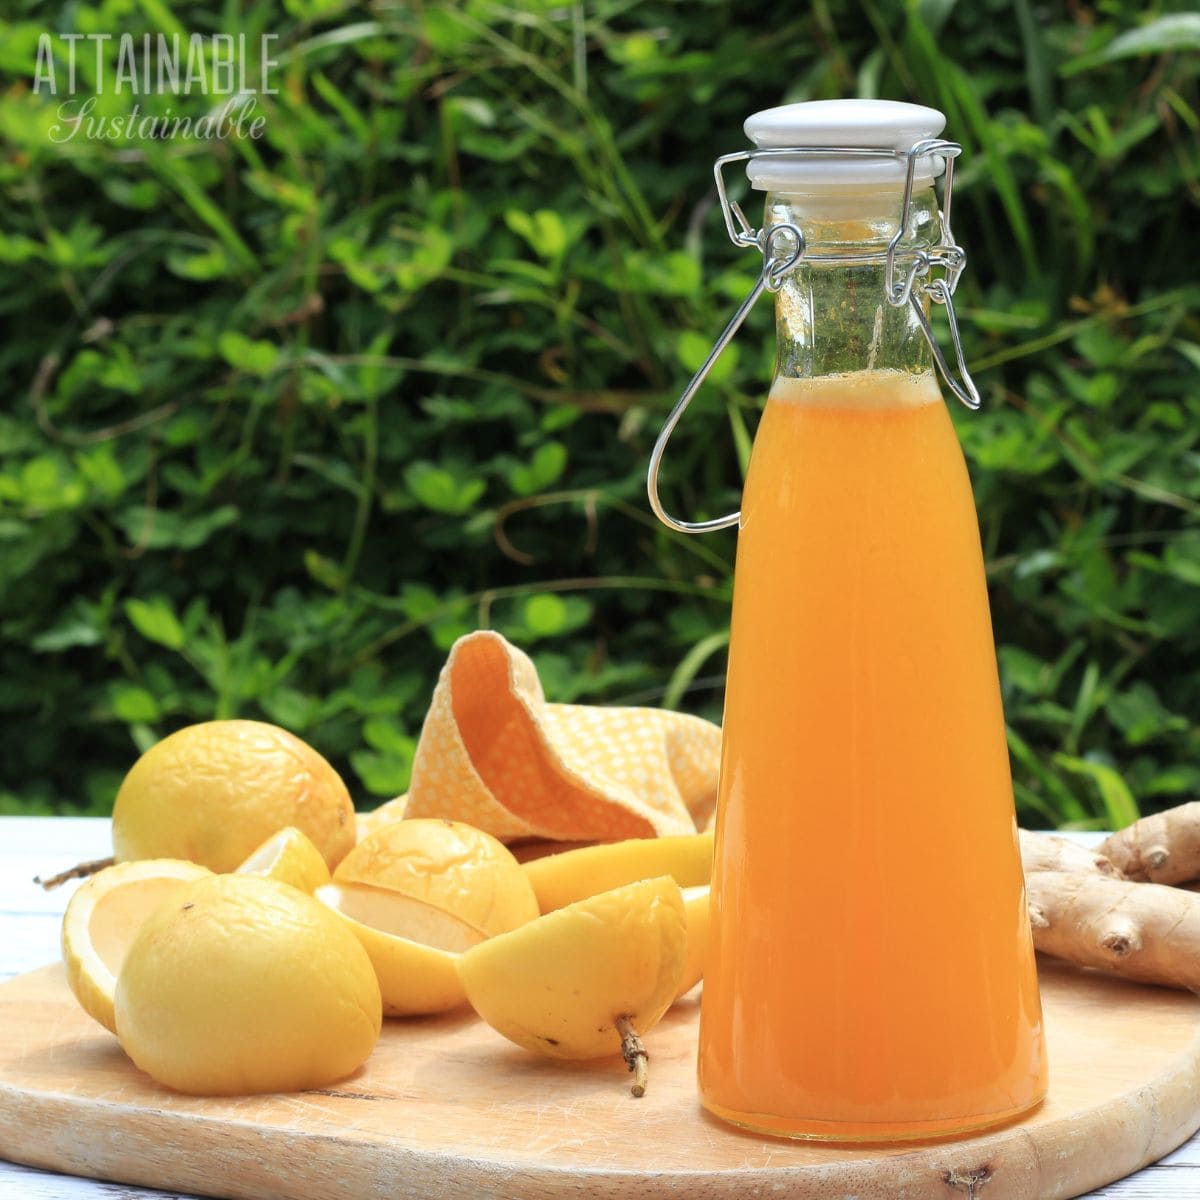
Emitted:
<point x="781" y="256"/>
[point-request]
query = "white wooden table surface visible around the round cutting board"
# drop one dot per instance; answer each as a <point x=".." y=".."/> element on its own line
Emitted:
<point x="29" y="938"/>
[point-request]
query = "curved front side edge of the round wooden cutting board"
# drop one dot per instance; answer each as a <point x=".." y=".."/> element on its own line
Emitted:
<point x="1013" y="1163"/>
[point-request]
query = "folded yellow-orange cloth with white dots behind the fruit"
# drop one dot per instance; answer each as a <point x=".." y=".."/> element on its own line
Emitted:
<point x="495" y="754"/>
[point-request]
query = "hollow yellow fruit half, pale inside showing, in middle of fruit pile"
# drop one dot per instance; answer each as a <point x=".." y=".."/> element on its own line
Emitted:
<point x="413" y="946"/>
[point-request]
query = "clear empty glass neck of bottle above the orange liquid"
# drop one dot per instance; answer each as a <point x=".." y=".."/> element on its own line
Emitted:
<point x="833" y="316"/>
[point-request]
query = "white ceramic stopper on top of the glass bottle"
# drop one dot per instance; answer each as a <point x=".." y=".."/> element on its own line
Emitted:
<point x="878" y="124"/>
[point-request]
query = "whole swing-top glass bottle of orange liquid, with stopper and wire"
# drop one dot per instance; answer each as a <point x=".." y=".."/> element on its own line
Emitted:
<point x="871" y="971"/>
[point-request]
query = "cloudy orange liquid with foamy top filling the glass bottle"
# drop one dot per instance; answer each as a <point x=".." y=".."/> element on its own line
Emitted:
<point x="871" y="970"/>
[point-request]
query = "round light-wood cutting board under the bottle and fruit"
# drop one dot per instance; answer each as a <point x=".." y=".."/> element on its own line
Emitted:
<point x="448" y="1109"/>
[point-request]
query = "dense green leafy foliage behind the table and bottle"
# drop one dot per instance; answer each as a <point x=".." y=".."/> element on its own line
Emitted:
<point x="285" y="417"/>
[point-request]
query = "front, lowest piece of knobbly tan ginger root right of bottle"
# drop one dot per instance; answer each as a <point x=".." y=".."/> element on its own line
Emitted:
<point x="1143" y="932"/>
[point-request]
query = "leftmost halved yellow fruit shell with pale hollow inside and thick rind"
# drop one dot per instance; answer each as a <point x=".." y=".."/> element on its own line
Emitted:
<point x="103" y="920"/>
